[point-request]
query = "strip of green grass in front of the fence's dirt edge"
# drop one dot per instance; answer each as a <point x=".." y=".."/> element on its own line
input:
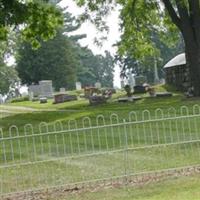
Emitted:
<point x="184" y="188"/>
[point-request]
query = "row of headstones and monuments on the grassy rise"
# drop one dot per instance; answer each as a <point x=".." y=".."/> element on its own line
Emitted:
<point x="137" y="90"/>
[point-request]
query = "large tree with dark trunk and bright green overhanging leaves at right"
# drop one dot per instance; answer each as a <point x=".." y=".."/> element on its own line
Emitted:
<point x="140" y="16"/>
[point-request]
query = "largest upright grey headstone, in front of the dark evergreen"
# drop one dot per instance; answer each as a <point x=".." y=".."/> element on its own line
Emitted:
<point x="46" y="89"/>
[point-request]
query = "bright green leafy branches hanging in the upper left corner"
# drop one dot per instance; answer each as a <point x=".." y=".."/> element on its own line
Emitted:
<point x="36" y="19"/>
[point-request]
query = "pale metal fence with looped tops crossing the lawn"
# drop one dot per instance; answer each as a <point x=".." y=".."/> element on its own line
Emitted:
<point x="98" y="149"/>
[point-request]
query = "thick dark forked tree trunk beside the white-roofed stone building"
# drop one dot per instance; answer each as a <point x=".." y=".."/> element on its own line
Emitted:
<point x="186" y="17"/>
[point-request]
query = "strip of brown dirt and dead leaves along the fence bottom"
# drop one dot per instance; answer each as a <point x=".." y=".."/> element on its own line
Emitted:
<point x="130" y="180"/>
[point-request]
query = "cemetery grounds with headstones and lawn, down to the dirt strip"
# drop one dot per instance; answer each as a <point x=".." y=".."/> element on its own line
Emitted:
<point x="96" y="125"/>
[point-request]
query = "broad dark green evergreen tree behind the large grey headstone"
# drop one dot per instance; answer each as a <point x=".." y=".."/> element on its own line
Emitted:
<point x="54" y="60"/>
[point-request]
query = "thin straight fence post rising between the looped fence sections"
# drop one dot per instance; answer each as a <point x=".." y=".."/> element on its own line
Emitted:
<point x="125" y="152"/>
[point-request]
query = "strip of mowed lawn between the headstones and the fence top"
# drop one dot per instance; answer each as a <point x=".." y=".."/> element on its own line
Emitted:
<point x="78" y="109"/>
